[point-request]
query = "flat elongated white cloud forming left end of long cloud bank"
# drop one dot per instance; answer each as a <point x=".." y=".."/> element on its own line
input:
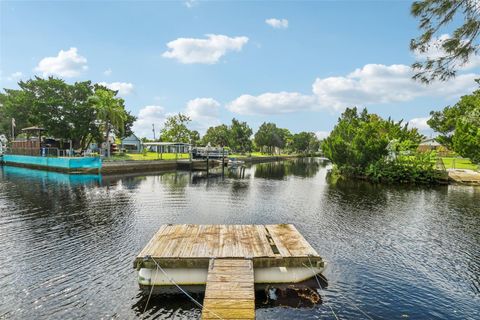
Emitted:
<point x="272" y="103"/>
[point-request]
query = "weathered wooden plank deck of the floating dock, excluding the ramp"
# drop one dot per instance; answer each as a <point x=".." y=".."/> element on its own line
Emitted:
<point x="189" y="245"/>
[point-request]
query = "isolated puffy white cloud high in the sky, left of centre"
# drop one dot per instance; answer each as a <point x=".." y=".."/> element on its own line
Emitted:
<point x="208" y="51"/>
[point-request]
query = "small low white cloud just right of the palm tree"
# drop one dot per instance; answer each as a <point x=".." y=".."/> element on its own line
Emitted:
<point x="147" y="116"/>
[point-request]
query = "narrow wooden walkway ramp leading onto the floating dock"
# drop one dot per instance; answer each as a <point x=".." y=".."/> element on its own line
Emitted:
<point x="230" y="292"/>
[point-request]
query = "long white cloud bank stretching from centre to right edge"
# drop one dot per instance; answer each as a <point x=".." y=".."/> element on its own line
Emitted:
<point x="373" y="84"/>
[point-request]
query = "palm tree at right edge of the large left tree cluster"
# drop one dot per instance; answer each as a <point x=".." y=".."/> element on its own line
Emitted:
<point x="110" y="112"/>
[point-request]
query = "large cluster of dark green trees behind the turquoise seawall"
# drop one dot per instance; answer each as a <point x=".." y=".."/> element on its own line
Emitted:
<point x="82" y="112"/>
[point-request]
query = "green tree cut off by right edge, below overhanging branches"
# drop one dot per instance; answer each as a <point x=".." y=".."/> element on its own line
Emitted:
<point x="459" y="126"/>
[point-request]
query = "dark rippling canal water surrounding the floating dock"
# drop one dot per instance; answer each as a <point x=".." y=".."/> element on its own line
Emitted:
<point x="67" y="243"/>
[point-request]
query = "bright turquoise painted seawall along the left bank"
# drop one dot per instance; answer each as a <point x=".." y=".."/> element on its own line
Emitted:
<point x="65" y="163"/>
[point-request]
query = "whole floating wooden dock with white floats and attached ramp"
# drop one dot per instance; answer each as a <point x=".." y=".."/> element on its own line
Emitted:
<point x="228" y="262"/>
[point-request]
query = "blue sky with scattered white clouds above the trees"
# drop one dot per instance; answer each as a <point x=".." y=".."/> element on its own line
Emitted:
<point x="298" y="64"/>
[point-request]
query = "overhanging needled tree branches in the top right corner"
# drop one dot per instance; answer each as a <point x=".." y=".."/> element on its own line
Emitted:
<point x="456" y="49"/>
